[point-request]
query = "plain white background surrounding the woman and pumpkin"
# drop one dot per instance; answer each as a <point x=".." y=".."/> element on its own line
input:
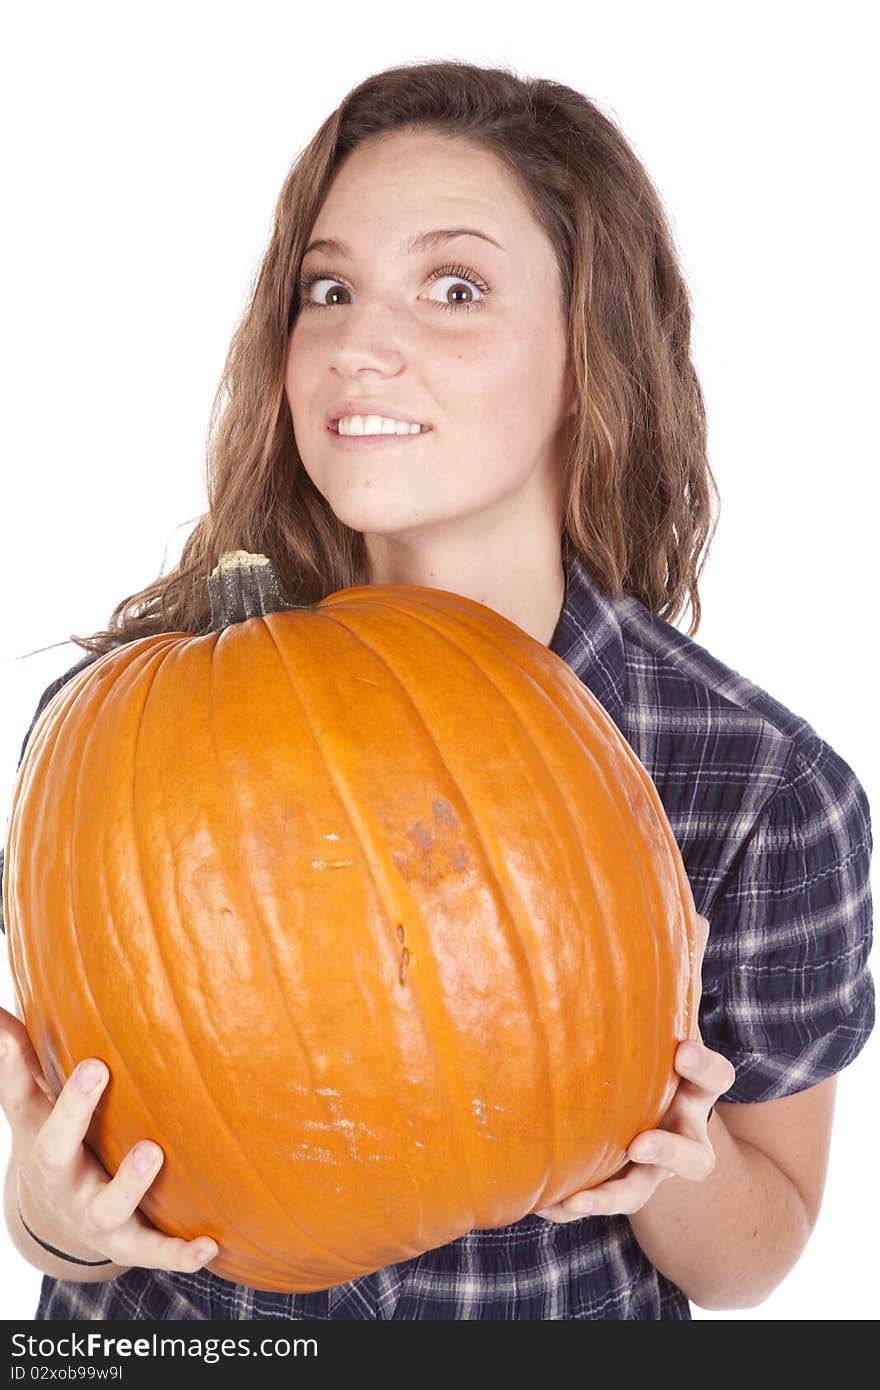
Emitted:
<point x="145" y="148"/>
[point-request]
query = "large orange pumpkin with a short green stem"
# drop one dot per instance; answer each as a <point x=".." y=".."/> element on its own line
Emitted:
<point x="372" y="911"/>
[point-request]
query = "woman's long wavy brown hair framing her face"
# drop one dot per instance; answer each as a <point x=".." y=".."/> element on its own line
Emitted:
<point x="639" y="486"/>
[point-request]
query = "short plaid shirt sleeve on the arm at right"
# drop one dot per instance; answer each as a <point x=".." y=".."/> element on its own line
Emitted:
<point x="789" y="997"/>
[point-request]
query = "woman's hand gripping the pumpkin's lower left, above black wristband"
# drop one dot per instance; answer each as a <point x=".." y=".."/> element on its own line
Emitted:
<point x="62" y="1181"/>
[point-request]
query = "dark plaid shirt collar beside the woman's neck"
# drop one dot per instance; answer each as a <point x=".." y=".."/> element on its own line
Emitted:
<point x="589" y="637"/>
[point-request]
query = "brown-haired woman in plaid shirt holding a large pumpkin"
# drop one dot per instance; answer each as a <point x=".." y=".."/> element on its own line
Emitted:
<point x="486" y="258"/>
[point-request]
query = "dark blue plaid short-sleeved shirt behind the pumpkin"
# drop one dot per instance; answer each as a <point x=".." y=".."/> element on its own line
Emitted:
<point x="775" y="832"/>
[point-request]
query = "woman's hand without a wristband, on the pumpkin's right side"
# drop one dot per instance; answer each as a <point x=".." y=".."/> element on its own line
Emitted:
<point x="681" y="1147"/>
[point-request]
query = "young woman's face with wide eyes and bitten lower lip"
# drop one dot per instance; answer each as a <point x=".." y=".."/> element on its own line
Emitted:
<point x="383" y="326"/>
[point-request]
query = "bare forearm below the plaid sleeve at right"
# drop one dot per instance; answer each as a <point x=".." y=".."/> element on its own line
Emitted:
<point x="731" y="1241"/>
